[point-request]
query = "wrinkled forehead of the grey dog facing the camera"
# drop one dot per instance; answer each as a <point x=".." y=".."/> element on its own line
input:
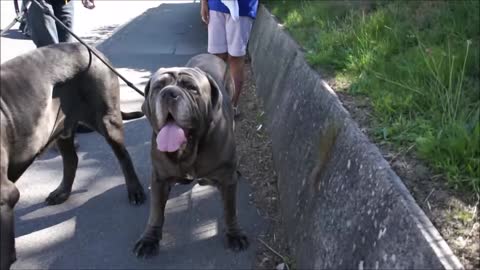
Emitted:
<point x="166" y="76"/>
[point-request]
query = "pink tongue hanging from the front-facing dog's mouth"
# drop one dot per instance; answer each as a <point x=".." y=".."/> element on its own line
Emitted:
<point x="170" y="138"/>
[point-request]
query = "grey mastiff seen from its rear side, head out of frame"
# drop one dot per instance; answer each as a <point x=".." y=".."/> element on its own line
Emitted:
<point x="44" y="95"/>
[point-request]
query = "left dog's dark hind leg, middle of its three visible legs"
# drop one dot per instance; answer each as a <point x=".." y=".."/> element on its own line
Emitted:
<point x="70" y="162"/>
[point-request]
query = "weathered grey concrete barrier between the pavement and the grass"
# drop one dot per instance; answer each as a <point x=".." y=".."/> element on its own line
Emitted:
<point x="342" y="205"/>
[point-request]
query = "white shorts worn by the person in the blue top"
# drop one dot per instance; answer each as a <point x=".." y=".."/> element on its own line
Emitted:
<point x="226" y="35"/>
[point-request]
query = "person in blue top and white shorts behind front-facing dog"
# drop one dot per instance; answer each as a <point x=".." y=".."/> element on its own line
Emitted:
<point x="228" y="34"/>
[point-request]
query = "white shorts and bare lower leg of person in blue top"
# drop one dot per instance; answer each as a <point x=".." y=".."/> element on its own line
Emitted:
<point x="228" y="39"/>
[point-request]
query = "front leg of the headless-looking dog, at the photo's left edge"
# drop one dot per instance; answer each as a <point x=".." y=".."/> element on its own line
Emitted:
<point x="9" y="196"/>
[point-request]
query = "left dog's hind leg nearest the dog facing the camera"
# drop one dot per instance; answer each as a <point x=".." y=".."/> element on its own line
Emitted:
<point x="113" y="133"/>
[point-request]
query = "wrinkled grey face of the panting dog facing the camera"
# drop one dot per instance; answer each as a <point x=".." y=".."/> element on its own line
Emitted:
<point x="178" y="104"/>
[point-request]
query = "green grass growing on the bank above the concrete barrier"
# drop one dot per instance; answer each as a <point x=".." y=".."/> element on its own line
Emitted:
<point x="417" y="61"/>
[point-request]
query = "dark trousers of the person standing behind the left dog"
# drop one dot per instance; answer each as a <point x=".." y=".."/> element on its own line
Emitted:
<point x="44" y="29"/>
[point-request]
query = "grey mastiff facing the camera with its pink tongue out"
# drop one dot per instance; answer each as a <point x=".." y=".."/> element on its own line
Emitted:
<point x="193" y="140"/>
